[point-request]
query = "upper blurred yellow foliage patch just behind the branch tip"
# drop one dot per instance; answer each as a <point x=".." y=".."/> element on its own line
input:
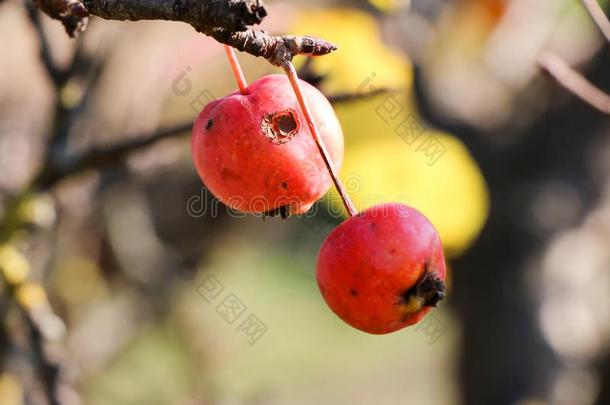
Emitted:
<point x="361" y="53"/>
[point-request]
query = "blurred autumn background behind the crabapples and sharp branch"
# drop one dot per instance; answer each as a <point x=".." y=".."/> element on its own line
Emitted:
<point x="125" y="282"/>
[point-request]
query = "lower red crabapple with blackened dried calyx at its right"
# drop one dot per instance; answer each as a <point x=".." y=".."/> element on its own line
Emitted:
<point x="382" y="269"/>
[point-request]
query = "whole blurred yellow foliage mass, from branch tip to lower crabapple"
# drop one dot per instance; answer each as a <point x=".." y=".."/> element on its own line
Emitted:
<point x="379" y="166"/>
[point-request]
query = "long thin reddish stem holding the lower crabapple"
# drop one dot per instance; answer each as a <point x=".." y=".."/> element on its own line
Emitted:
<point x="296" y="86"/>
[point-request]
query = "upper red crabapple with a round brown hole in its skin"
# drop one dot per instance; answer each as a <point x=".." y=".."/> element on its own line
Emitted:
<point x="254" y="151"/>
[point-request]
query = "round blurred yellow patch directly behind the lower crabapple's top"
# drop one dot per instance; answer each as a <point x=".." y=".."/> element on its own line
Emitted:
<point x="451" y="192"/>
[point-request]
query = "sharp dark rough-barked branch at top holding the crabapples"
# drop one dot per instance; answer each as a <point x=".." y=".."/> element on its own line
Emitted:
<point x="227" y="21"/>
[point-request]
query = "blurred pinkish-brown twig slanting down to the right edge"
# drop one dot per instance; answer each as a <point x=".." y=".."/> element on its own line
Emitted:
<point x="574" y="81"/>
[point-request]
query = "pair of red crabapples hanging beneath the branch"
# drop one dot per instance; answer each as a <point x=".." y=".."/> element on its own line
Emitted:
<point x="381" y="269"/>
